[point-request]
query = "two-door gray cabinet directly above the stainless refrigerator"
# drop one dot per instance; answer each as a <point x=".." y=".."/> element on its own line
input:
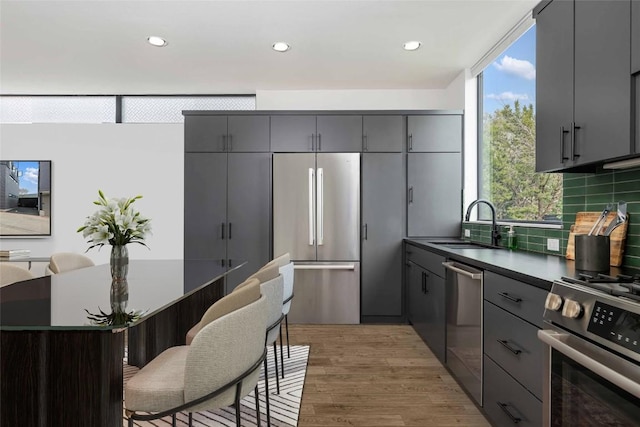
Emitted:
<point x="321" y="133"/>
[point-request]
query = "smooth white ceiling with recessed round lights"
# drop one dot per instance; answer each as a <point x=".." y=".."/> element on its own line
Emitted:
<point x="224" y="47"/>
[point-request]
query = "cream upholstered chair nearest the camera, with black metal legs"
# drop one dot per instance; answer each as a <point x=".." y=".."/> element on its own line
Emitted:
<point x="221" y="366"/>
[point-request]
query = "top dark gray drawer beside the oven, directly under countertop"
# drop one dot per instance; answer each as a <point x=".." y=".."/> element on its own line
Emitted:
<point x="525" y="301"/>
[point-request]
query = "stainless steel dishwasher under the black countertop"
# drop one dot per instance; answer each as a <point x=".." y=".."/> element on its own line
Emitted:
<point x="464" y="326"/>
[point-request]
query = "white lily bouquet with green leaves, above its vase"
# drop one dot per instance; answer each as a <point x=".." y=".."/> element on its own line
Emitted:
<point x="116" y="223"/>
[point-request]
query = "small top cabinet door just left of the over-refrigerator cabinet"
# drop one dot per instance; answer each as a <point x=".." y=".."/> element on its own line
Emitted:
<point x="248" y="133"/>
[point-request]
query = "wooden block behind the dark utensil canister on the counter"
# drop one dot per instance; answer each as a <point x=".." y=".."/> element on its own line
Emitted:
<point x="584" y="223"/>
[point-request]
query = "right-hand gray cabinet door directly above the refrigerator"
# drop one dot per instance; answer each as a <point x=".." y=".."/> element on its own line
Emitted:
<point x="339" y="133"/>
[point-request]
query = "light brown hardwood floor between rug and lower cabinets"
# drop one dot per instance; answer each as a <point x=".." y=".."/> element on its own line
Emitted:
<point x="375" y="376"/>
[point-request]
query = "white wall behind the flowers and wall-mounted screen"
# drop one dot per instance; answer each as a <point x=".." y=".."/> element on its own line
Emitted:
<point x="122" y="160"/>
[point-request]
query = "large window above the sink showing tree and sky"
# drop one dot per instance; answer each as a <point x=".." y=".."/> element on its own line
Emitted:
<point x="507" y="139"/>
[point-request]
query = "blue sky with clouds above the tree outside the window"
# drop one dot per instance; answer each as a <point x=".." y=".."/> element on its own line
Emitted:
<point x="512" y="75"/>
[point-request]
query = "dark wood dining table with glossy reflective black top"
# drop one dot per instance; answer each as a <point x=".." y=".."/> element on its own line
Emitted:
<point x="59" y="366"/>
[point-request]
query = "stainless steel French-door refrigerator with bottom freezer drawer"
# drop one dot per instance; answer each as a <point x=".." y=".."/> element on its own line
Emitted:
<point x="316" y="218"/>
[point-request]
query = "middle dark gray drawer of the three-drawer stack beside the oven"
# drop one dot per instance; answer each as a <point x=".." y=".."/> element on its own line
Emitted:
<point x="514" y="345"/>
